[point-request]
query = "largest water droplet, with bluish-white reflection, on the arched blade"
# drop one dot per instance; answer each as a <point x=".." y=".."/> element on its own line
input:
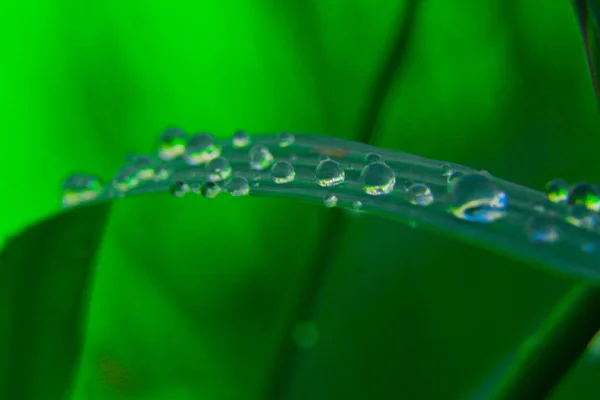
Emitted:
<point x="477" y="198"/>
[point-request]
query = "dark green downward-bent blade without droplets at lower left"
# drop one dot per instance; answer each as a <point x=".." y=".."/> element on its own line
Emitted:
<point x="45" y="275"/>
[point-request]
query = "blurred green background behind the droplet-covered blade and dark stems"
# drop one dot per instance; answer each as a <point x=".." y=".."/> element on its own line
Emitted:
<point x="192" y="297"/>
